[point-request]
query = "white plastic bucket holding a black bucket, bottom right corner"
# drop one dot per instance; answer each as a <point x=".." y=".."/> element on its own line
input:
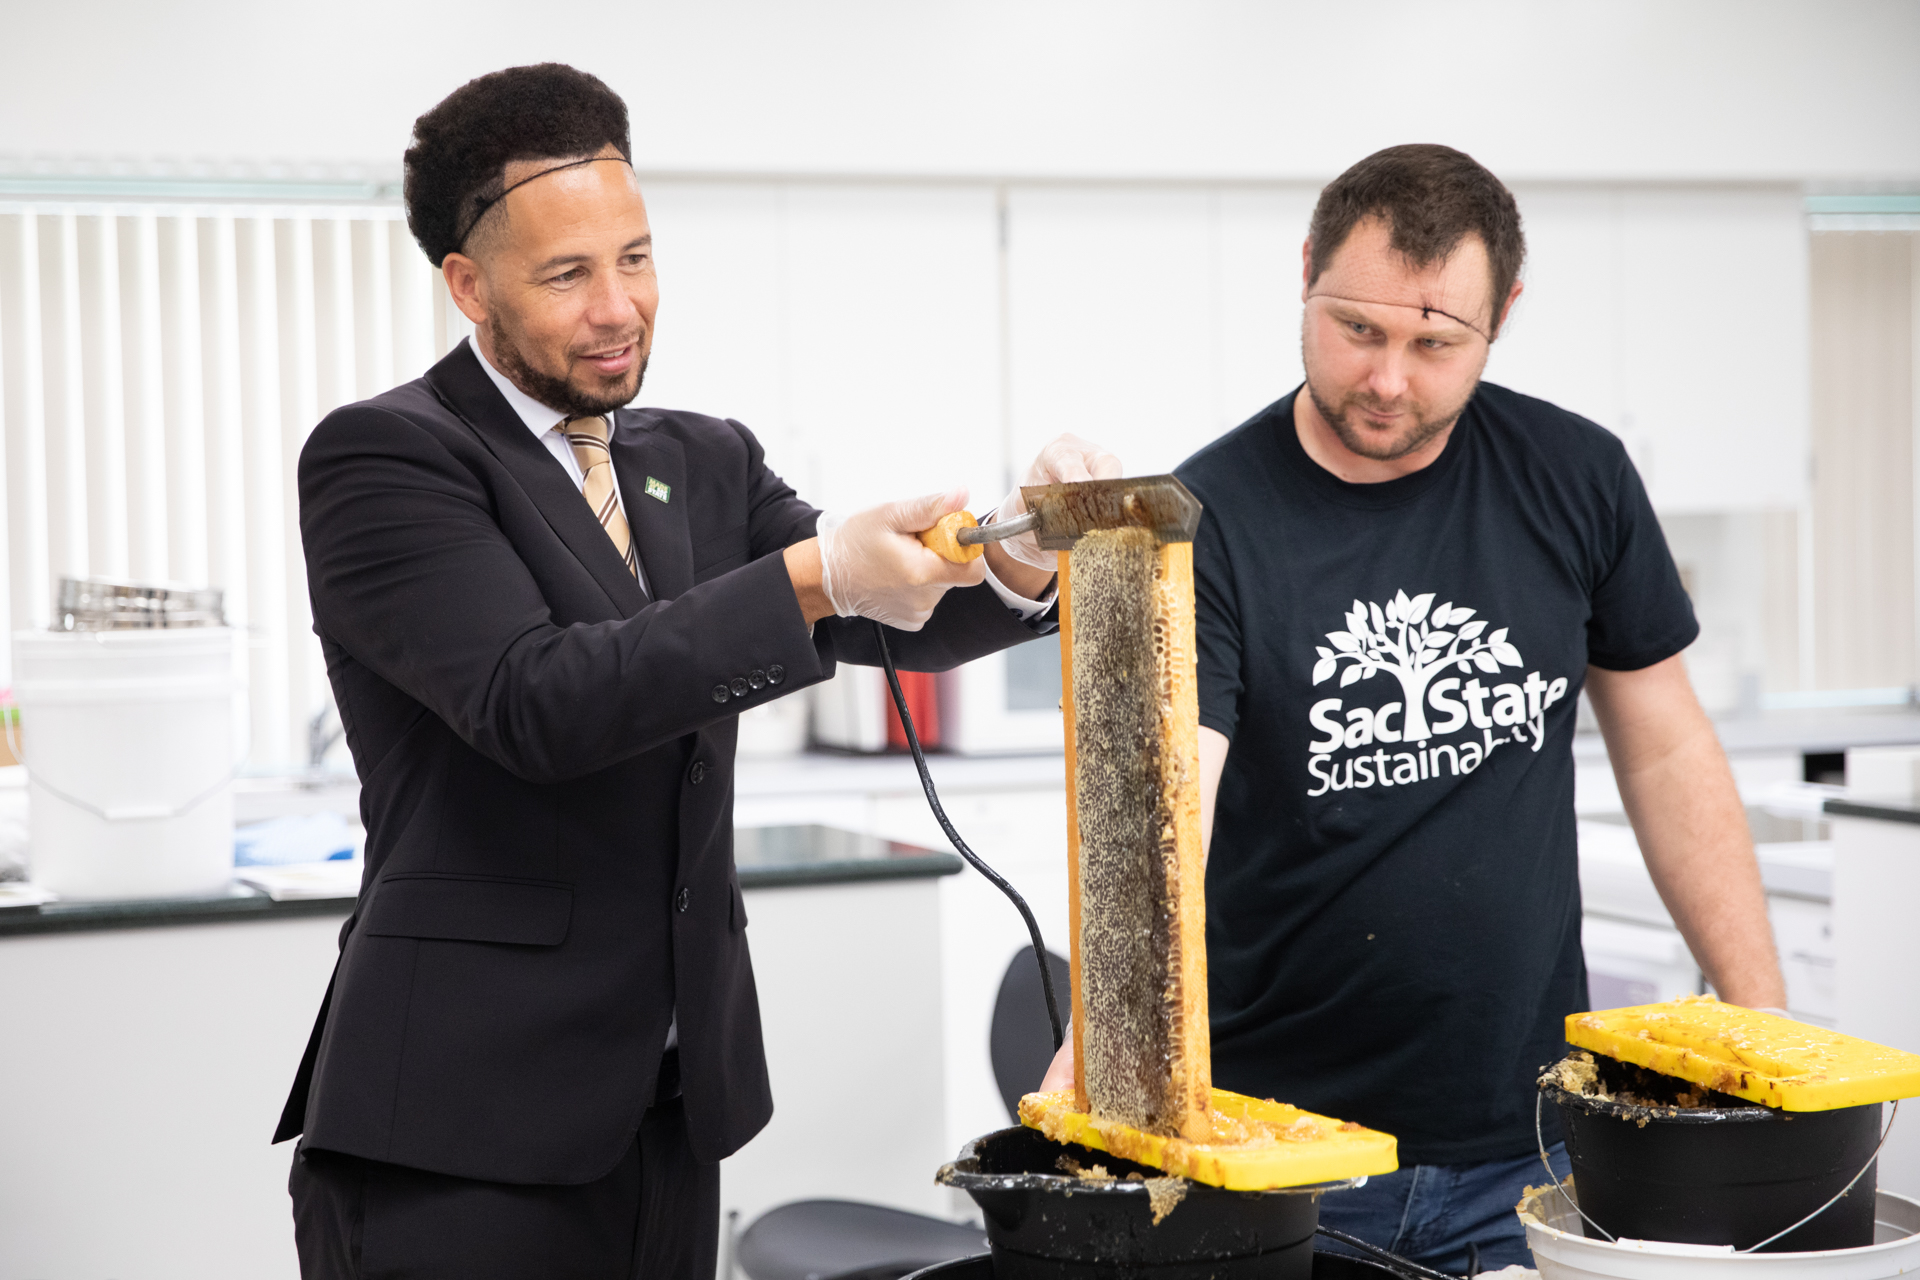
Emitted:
<point x="1564" y="1254"/>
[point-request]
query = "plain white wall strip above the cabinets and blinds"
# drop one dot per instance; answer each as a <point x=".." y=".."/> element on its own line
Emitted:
<point x="1633" y="89"/>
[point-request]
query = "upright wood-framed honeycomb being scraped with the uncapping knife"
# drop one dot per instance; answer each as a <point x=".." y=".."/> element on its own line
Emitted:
<point x="1141" y="1022"/>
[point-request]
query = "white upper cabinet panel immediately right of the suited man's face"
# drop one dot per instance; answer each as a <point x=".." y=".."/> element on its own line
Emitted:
<point x="853" y="329"/>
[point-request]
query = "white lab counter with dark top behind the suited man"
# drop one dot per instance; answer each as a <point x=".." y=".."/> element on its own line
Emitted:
<point x="151" y="1049"/>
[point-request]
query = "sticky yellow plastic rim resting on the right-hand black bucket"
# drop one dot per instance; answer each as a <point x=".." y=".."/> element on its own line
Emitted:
<point x="1748" y="1055"/>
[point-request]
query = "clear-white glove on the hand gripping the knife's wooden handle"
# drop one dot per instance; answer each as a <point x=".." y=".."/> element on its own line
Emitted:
<point x="873" y="563"/>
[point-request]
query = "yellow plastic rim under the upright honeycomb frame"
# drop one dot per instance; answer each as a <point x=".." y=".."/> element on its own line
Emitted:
<point x="1266" y="1145"/>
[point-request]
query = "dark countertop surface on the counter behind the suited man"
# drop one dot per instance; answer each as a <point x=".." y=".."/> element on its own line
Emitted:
<point x="767" y="859"/>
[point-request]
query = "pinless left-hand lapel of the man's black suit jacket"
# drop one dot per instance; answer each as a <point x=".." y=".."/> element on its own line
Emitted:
<point x="466" y="389"/>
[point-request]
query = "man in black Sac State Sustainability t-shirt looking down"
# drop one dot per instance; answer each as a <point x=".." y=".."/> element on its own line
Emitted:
<point x="1404" y="579"/>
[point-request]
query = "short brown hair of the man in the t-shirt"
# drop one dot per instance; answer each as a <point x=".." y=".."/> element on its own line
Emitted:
<point x="1431" y="199"/>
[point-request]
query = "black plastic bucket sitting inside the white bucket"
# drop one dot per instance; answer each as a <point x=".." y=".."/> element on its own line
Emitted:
<point x="1729" y="1172"/>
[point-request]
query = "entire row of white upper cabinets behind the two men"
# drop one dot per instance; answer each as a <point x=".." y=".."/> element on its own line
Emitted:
<point x="865" y="335"/>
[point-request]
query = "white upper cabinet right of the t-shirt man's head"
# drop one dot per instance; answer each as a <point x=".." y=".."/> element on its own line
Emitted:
<point x="1677" y="320"/>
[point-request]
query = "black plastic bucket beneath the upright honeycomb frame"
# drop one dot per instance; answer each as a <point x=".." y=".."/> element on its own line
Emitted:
<point x="1045" y="1223"/>
